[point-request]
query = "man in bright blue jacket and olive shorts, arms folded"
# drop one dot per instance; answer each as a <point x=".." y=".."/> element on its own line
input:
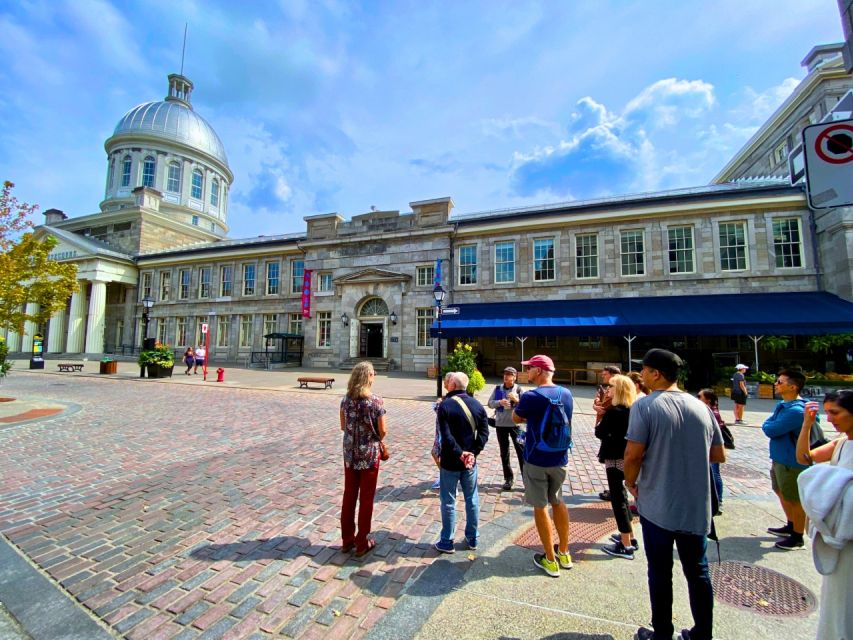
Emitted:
<point x="783" y="427"/>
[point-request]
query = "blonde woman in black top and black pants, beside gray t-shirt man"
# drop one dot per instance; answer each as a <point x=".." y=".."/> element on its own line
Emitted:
<point x="611" y="431"/>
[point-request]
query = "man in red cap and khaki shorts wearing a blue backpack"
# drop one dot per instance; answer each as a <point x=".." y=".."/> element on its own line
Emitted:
<point x="545" y="468"/>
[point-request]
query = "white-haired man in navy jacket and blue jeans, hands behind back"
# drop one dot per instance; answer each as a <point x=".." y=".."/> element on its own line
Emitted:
<point x="464" y="432"/>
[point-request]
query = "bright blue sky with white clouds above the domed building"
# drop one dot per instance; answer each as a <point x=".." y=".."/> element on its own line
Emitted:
<point x="333" y="106"/>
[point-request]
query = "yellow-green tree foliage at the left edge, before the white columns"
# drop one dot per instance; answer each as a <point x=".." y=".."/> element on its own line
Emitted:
<point x="26" y="273"/>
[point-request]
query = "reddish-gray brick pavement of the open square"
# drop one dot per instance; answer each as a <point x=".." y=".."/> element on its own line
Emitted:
<point x="180" y="512"/>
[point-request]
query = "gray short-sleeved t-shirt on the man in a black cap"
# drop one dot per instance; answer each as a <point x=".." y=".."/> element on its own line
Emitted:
<point x="675" y="478"/>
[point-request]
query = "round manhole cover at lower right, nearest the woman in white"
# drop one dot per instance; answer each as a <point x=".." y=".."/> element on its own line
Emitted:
<point x="761" y="590"/>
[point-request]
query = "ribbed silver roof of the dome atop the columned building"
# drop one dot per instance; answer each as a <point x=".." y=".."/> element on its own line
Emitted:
<point x="175" y="122"/>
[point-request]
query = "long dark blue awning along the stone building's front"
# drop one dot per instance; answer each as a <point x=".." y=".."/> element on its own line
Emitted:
<point x="809" y="313"/>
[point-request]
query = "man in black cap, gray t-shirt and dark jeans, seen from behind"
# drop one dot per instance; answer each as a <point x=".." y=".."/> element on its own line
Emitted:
<point x="671" y="439"/>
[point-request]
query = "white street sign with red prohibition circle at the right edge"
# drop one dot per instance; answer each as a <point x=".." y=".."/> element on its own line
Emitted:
<point x="829" y="164"/>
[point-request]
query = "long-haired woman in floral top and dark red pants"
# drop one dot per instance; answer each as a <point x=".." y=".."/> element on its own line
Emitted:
<point x="363" y="424"/>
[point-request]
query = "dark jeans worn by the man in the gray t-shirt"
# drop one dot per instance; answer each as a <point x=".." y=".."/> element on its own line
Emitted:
<point x="657" y="543"/>
